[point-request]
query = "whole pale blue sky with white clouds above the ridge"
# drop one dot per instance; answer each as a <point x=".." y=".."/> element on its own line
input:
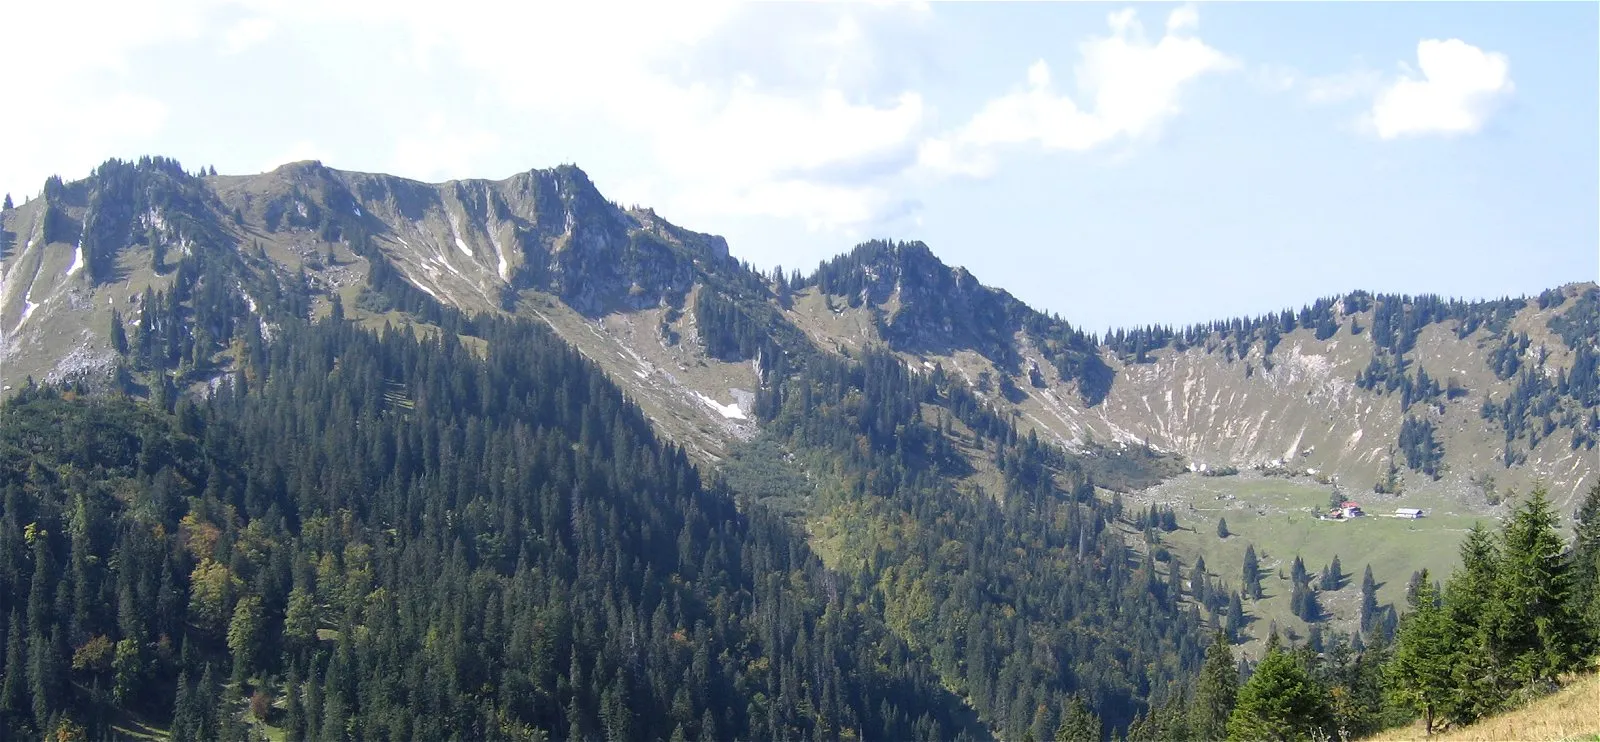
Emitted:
<point x="1119" y="164"/>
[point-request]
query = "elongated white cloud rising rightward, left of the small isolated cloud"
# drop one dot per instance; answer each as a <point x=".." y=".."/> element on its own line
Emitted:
<point x="1132" y="87"/>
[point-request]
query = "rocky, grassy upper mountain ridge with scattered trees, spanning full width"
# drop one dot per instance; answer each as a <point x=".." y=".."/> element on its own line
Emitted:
<point x="1508" y="393"/>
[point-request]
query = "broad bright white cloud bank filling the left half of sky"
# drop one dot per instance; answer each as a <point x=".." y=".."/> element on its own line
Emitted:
<point x="798" y="121"/>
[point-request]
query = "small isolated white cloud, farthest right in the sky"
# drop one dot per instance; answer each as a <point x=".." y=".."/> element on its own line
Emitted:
<point x="1455" y="92"/>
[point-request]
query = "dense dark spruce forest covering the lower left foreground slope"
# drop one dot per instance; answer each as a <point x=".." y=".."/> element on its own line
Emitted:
<point x="402" y="540"/>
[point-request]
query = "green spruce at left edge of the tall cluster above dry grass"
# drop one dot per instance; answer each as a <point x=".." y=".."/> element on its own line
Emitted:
<point x="1422" y="672"/>
